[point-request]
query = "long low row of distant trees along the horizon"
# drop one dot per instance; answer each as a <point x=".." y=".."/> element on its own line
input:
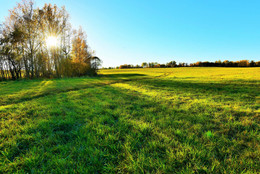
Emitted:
<point x="171" y="64"/>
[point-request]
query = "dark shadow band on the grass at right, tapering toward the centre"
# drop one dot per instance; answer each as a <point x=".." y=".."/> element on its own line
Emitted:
<point x="234" y="90"/>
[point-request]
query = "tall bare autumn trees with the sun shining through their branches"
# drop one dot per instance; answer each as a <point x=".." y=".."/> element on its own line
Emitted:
<point x="40" y="42"/>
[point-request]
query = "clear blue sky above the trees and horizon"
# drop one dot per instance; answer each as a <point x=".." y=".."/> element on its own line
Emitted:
<point x="136" y="31"/>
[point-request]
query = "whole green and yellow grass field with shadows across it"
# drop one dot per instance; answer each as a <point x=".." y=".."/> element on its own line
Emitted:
<point x="173" y="120"/>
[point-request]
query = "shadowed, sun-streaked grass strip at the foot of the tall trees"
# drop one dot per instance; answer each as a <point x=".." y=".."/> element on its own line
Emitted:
<point x="29" y="90"/>
